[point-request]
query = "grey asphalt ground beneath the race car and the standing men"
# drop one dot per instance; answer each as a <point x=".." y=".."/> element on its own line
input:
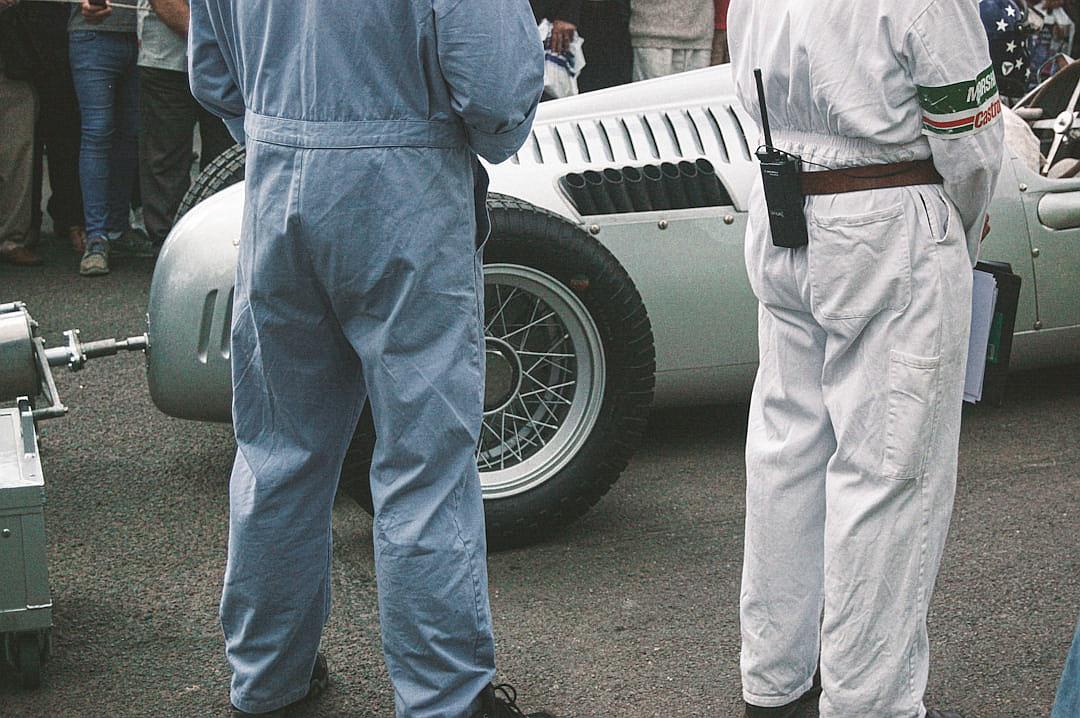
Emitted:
<point x="632" y="612"/>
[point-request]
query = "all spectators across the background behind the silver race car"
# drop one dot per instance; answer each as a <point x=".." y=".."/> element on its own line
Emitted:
<point x="103" y="93"/>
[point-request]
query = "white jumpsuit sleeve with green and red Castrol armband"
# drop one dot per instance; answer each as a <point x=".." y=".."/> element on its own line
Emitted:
<point x="951" y="66"/>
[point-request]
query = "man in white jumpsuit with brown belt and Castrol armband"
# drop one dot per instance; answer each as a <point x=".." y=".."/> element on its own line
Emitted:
<point x="852" y="453"/>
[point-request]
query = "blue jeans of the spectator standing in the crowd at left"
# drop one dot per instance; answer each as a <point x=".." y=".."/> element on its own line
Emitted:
<point x="106" y="82"/>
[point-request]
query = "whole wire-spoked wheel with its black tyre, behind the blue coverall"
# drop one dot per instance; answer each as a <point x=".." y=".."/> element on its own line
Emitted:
<point x="570" y="368"/>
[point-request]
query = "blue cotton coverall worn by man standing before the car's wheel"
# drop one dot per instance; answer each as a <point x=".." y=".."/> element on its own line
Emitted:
<point x="360" y="278"/>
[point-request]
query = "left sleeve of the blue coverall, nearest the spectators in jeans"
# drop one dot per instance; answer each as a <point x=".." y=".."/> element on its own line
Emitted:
<point x="211" y="74"/>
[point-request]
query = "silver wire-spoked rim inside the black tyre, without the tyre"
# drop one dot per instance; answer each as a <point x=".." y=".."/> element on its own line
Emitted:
<point x="545" y="386"/>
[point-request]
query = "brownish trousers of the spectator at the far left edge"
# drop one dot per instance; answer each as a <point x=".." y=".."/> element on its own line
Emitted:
<point x="18" y="113"/>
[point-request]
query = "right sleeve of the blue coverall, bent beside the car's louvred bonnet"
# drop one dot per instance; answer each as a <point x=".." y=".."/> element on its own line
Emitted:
<point x="493" y="62"/>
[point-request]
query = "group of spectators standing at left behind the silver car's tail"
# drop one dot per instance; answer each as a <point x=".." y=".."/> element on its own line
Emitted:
<point x="103" y="93"/>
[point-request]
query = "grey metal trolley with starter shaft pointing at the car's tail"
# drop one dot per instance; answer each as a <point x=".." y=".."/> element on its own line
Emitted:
<point x="26" y="382"/>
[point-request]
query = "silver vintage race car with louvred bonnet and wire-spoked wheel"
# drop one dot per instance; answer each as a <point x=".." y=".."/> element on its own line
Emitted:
<point x="615" y="282"/>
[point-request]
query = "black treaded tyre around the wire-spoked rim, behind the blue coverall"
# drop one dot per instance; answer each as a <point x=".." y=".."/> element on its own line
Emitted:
<point x="528" y="237"/>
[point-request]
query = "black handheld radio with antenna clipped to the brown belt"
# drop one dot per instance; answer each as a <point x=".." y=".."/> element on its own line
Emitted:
<point x="784" y="194"/>
